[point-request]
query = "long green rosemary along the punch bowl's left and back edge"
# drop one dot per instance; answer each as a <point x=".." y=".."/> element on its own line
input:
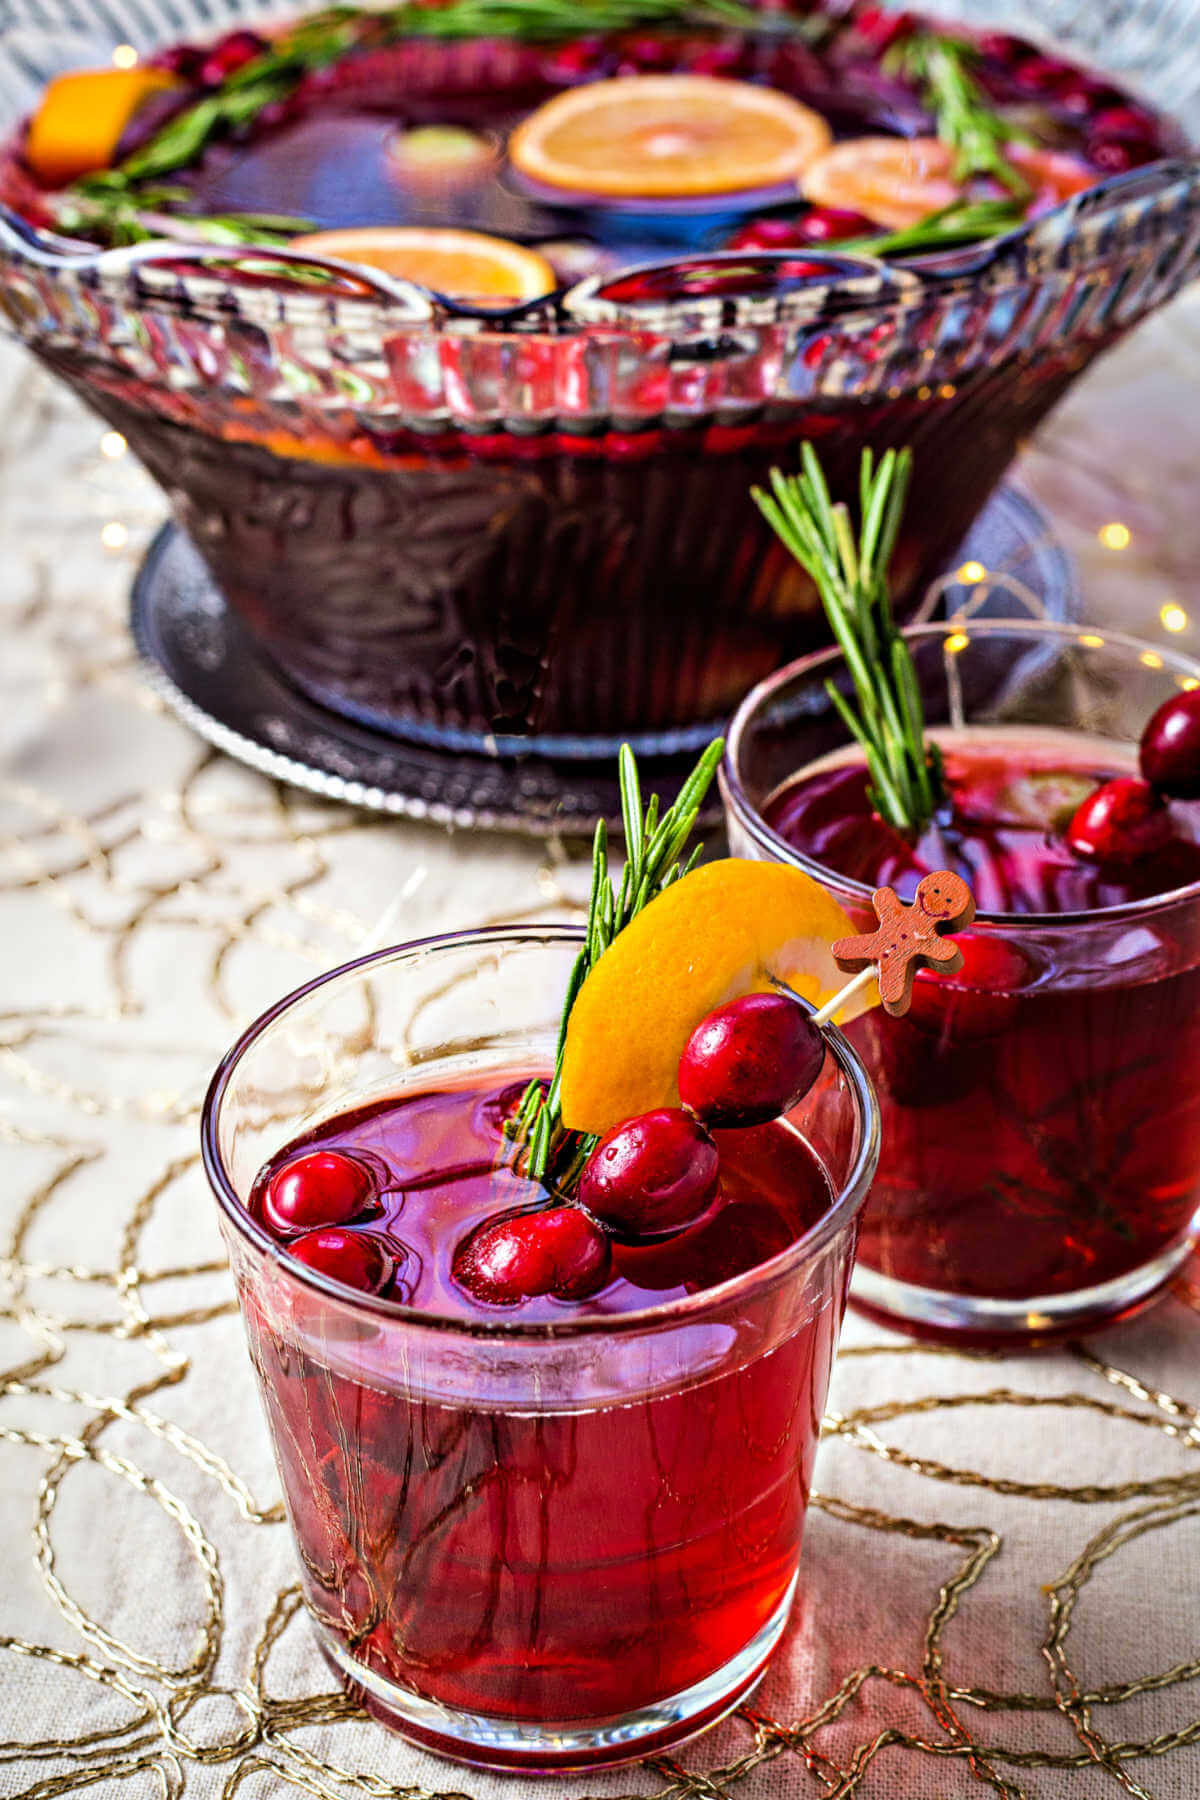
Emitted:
<point x="114" y="201"/>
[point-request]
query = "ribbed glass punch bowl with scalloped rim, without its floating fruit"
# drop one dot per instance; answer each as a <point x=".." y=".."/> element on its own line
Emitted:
<point x="535" y="532"/>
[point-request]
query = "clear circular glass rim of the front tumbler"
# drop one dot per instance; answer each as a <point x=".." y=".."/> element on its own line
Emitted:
<point x="764" y="1277"/>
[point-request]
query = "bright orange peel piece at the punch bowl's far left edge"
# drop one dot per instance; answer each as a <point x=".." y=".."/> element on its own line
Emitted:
<point x="84" y="116"/>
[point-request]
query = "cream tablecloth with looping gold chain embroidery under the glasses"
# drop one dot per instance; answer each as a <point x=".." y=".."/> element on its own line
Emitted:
<point x="1001" y="1581"/>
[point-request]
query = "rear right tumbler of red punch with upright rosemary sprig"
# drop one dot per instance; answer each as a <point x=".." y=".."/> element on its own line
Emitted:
<point x="1041" y="1106"/>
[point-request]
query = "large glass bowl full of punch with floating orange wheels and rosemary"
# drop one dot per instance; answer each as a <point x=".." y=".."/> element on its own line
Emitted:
<point x="492" y="494"/>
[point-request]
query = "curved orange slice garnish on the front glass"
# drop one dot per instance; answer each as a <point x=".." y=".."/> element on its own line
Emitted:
<point x="719" y="933"/>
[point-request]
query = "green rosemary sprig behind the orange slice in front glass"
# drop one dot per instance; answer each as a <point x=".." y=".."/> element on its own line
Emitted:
<point x="654" y="861"/>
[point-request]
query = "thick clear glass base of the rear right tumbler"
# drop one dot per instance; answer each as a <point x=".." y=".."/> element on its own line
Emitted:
<point x="1014" y="1324"/>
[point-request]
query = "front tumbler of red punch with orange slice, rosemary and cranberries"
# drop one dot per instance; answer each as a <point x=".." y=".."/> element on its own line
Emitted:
<point x="548" y="1466"/>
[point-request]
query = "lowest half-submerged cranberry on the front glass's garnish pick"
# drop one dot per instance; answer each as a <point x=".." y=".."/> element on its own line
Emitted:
<point x="555" y="1252"/>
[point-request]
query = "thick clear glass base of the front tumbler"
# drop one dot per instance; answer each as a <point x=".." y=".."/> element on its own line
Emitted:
<point x="496" y="1743"/>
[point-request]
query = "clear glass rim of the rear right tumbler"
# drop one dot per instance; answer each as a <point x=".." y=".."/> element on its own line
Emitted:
<point x="1080" y="633"/>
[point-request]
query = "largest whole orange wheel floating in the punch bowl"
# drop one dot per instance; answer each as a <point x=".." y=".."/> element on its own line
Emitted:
<point x="668" y="138"/>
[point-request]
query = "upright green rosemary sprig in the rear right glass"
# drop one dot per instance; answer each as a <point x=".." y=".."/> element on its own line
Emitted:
<point x="852" y="580"/>
